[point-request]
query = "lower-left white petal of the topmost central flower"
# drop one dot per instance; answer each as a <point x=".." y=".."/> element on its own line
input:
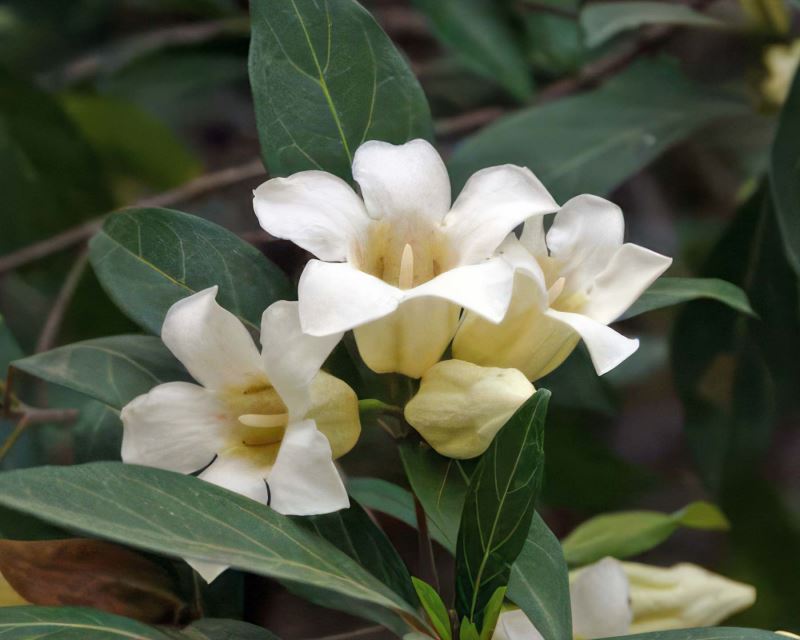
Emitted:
<point x="335" y="297"/>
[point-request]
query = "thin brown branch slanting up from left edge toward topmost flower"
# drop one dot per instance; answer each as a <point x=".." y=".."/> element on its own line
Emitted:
<point x="199" y="186"/>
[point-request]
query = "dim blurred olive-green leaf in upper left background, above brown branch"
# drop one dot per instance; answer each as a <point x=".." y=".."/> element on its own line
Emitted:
<point x="130" y="142"/>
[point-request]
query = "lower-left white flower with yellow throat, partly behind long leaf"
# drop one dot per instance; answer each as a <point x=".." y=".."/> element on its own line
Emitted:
<point x="267" y="425"/>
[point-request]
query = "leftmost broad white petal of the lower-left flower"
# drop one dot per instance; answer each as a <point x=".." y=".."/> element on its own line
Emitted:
<point x="176" y="426"/>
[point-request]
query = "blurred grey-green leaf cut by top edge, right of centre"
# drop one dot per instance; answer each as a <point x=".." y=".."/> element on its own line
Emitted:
<point x="601" y="21"/>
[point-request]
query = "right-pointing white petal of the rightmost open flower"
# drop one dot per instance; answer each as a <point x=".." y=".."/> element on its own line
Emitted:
<point x="628" y="274"/>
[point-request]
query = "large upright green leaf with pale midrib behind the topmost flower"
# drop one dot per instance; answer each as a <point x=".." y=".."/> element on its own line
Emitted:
<point x="325" y="78"/>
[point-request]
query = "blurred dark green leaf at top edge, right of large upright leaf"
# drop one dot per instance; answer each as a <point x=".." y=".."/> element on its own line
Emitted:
<point x="480" y="33"/>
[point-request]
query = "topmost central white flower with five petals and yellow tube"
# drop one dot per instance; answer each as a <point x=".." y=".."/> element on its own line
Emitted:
<point x="398" y="263"/>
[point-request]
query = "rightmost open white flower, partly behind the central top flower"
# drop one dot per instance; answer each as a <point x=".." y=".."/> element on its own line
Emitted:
<point x="570" y="284"/>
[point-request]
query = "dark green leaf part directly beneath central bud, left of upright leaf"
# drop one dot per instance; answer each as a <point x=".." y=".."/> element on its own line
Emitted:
<point x="440" y="484"/>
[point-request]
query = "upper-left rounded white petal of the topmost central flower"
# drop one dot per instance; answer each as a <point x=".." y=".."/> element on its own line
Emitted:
<point x="315" y="210"/>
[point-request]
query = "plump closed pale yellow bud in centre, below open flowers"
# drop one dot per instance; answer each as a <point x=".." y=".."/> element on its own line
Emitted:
<point x="460" y="406"/>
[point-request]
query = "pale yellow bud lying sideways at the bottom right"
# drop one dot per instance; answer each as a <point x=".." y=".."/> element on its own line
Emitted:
<point x="682" y="596"/>
